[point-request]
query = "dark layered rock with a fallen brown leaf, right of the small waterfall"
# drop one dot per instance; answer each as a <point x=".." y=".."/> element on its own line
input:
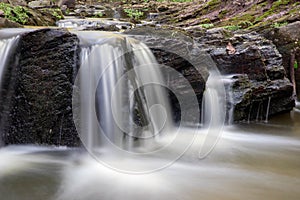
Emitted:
<point x="260" y="87"/>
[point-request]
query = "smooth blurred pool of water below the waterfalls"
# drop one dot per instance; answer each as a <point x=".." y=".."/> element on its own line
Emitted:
<point x="251" y="161"/>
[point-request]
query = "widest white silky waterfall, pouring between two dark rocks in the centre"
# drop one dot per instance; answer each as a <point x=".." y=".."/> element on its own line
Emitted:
<point x="118" y="95"/>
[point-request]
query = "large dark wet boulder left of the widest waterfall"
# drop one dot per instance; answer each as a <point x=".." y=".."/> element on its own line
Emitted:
<point x="38" y="90"/>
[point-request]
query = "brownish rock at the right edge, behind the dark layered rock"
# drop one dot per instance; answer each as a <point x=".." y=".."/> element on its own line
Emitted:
<point x="287" y="40"/>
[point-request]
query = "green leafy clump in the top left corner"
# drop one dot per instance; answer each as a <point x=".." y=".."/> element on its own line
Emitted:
<point x="17" y="14"/>
